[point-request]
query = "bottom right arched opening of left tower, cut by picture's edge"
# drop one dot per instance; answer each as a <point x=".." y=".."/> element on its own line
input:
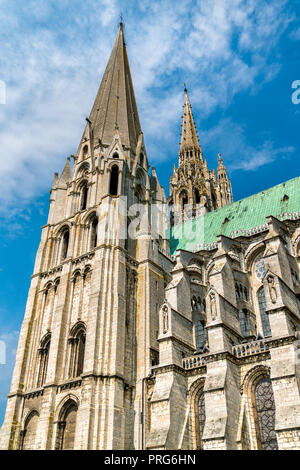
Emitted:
<point x="67" y="426"/>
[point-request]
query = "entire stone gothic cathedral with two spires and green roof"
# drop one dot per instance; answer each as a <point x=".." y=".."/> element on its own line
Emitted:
<point x="154" y="322"/>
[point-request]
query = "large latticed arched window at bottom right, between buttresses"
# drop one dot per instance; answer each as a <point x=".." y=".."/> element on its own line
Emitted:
<point x="265" y="409"/>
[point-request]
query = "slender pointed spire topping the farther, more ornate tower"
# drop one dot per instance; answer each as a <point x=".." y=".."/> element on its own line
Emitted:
<point x="189" y="138"/>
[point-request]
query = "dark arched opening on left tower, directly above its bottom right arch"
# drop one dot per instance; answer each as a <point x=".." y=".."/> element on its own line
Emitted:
<point x="77" y="350"/>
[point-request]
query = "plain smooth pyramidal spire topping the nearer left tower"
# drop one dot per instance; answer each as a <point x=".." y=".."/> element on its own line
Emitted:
<point x="115" y="105"/>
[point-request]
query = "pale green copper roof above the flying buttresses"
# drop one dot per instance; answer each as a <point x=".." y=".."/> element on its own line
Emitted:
<point x="242" y="215"/>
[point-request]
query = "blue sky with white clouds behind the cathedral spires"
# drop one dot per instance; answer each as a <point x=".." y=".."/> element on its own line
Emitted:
<point x="238" y="58"/>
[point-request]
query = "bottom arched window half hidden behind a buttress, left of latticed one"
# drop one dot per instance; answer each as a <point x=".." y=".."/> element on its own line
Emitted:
<point x="196" y="405"/>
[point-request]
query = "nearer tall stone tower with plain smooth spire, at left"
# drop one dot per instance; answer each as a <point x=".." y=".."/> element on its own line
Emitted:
<point x="86" y="343"/>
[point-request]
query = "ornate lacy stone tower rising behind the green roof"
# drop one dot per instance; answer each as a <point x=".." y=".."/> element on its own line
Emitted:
<point x="193" y="187"/>
